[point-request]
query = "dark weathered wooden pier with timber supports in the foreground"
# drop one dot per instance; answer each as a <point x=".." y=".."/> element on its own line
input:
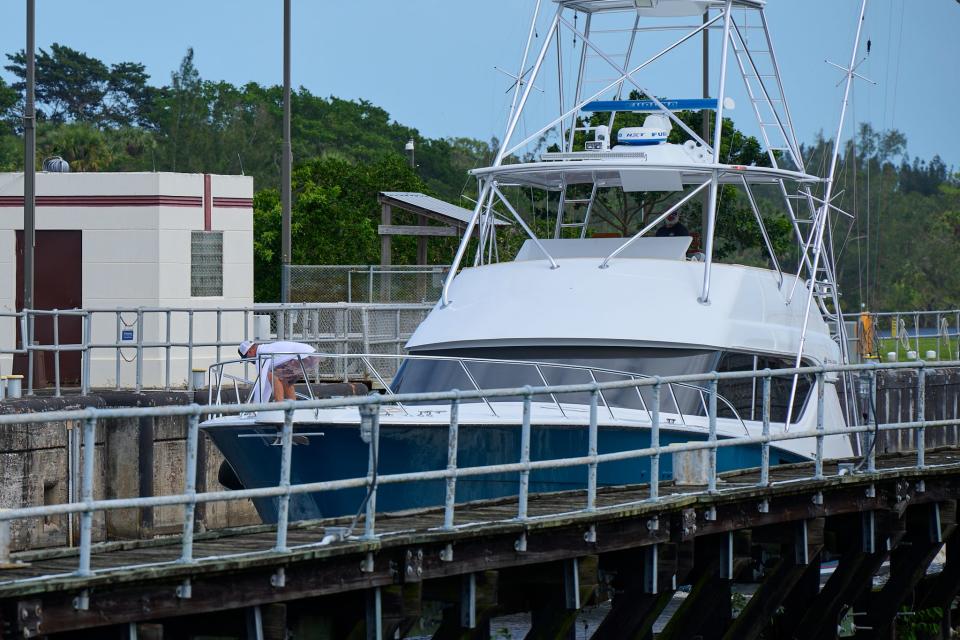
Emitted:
<point x="631" y="551"/>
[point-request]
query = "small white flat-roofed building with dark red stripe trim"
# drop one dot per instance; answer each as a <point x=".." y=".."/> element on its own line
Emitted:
<point x="109" y="240"/>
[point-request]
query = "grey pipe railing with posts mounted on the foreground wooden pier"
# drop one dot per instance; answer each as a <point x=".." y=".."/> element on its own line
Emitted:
<point x="370" y="408"/>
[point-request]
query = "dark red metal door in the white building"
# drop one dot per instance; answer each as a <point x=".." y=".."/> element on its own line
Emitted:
<point x="58" y="284"/>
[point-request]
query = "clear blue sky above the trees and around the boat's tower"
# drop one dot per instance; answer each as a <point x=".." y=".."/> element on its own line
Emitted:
<point x="430" y="63"/>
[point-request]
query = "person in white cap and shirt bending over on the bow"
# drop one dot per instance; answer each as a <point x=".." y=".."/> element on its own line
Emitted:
<point x="281" y="364"/>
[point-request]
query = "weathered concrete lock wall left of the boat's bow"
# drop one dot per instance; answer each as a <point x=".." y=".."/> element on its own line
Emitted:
<point x="133" y="457"/>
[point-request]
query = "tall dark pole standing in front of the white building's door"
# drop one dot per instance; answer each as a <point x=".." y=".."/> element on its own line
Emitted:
<point x="29" y="164"/>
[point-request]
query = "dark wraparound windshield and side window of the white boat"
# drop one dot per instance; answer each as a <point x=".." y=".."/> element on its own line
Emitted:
<point x="583" y="365"/>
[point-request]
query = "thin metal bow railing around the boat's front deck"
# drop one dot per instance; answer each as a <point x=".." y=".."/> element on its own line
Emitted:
<point x="220" y="379"/>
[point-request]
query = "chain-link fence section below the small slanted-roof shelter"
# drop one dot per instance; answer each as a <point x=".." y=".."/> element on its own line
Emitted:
<point x="370" y="284"/>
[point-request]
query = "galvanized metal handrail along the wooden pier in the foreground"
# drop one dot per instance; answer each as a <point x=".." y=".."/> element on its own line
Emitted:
<point x="369" y="412"/>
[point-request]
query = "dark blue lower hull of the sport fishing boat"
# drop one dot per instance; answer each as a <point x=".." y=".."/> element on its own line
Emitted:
<point x="340" y="453"/>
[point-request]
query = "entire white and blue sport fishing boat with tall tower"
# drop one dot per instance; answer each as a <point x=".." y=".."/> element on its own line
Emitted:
<point x="579" y="303"/>
